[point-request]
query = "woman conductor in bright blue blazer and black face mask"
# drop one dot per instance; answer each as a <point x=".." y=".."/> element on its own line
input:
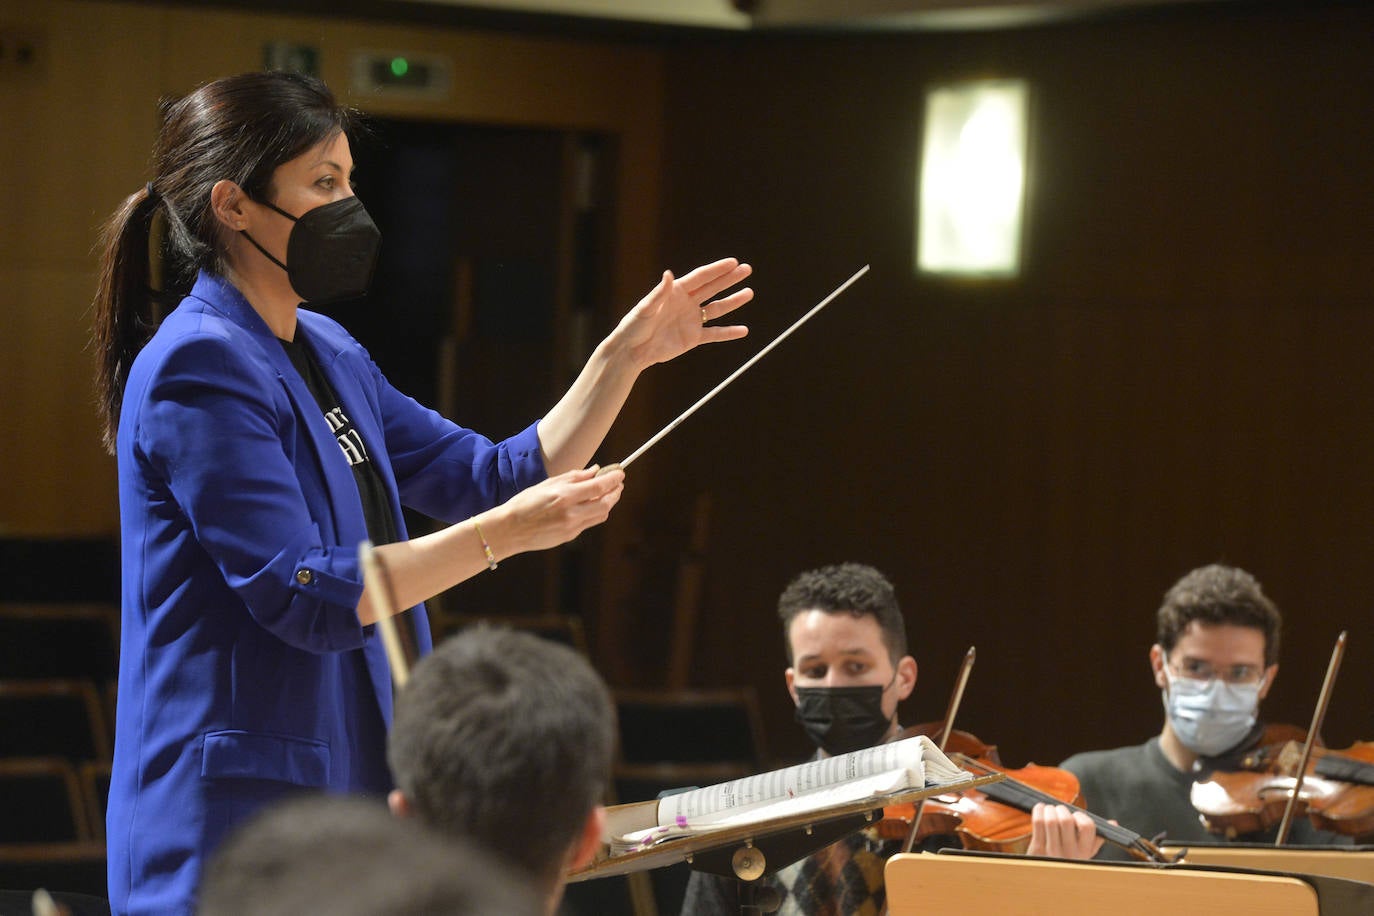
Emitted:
<point x="259" y="446"/>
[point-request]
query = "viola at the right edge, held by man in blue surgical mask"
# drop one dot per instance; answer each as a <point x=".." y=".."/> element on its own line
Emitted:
<point x="1250" y="793"/>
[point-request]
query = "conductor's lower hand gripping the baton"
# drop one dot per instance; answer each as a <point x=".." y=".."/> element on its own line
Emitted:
<point x="554" y="512"/>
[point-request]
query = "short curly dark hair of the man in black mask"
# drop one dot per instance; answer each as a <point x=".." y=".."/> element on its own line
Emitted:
<point x="854" y="588"/>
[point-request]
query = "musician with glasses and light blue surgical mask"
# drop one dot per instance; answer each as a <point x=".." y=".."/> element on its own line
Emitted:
<point x="1214" y="661"/>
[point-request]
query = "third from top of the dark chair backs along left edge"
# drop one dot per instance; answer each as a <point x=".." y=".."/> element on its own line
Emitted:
<point x="53" y="719"/>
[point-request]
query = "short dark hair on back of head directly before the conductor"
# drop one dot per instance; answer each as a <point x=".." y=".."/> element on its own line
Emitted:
<point x="508" y="738"/>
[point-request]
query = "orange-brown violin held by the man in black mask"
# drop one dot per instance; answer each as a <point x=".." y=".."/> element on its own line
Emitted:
<point x="997" y="818"/>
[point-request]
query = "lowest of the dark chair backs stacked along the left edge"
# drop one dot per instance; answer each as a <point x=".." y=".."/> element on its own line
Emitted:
<point x="43" y="801"/>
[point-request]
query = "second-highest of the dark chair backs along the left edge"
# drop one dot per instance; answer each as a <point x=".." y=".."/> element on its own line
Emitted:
<point x="60" y="641"/>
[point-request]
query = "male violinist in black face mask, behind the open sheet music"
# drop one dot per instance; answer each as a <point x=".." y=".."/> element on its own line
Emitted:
<point x="848" y="671"/>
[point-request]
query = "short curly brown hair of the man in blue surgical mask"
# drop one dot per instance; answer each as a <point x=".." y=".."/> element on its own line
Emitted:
<point x="1215" y="595"/>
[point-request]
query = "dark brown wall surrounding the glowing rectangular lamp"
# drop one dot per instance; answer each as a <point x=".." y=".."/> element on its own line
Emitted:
<point x="1180" y="377"/>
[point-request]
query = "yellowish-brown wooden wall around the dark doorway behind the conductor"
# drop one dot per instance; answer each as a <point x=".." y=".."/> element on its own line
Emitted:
<point x="75" y="139"/>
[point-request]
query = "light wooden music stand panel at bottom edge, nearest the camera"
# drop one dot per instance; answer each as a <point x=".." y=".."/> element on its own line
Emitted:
<point x="1020" y="886"/>
